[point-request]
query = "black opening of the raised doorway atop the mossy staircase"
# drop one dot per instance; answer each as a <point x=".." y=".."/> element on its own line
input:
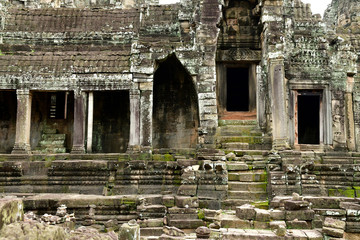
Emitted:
<point x="237" y="89"/>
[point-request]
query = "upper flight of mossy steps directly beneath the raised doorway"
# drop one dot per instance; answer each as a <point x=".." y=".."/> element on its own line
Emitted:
<point x="241" y="135"/>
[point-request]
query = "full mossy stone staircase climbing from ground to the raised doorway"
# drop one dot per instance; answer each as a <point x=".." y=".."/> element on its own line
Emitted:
<point x="248" y="148"/>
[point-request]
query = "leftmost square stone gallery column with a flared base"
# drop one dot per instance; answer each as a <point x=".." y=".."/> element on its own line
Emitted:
<point x="23" y="122"/>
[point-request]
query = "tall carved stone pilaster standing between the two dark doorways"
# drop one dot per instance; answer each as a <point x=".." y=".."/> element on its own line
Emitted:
<point x="278" y="106"/>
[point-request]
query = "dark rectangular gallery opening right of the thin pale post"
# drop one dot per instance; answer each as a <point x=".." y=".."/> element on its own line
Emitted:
<point x="111" y="127"/>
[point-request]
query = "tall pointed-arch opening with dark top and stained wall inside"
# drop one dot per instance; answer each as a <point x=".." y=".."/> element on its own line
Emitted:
<point x="175" y="108"/>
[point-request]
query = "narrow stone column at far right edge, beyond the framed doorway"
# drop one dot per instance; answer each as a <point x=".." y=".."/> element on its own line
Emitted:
<point x="350" y="125"/>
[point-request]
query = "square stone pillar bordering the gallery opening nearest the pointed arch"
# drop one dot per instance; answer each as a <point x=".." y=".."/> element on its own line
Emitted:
<point x="134" y="139"/>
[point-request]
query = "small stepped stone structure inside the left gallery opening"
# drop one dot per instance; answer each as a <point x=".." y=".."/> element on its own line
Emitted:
<point x="51" y="142"/>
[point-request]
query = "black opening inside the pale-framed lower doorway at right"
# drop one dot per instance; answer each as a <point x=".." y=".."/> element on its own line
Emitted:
<point x="309" y="118"/>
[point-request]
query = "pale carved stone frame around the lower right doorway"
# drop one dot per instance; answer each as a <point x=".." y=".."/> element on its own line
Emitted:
<point x="325" y="110"/>
